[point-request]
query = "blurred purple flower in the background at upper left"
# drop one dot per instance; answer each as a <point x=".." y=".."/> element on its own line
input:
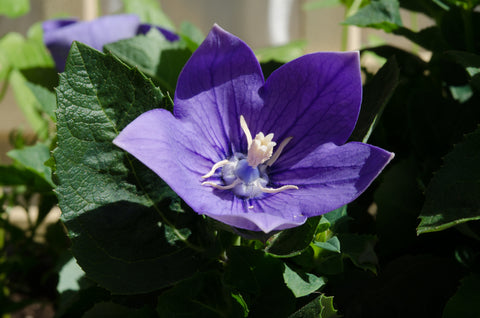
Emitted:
<point x="59" y="34"/>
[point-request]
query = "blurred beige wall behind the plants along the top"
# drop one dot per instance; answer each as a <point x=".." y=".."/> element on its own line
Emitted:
<point x="260" y="23"/>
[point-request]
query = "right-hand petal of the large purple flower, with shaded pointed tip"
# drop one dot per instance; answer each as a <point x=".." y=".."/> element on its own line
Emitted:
<point x="331" y="176"/>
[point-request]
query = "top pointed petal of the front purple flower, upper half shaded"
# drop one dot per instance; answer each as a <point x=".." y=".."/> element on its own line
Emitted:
<point x="218" y="84"/>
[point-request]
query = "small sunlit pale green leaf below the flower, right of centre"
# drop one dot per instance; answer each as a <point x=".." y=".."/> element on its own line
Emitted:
<point x="302" y="284"/>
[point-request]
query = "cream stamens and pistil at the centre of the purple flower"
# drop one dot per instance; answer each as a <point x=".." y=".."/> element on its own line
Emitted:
<point x="246" y="175"/>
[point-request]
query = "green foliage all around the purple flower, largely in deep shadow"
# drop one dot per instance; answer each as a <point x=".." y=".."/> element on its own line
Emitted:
<point x="408" y="247"/>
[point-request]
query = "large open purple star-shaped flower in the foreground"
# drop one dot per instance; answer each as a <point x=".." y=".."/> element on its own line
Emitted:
<point x="255" y="154"/>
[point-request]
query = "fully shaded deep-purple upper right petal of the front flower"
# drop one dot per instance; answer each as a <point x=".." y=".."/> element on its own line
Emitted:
<point x="315" y="99"/>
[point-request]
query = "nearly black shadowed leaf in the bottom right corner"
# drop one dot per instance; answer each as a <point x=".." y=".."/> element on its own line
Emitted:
<point x="465" y="302"/>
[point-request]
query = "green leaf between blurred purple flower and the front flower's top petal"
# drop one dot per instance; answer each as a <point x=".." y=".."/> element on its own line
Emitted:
<point x="155" y="56"/>
